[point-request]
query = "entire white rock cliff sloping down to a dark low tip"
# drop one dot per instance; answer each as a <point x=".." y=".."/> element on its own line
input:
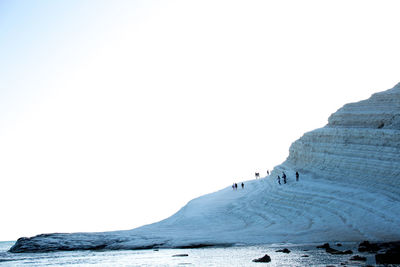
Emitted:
<point x="348" y="191"/>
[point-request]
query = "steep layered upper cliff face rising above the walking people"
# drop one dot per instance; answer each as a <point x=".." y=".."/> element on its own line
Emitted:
<point x="360" y="145"/>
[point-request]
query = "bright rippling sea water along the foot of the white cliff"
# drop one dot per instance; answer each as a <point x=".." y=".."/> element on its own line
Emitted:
<point x="232" y="256"/>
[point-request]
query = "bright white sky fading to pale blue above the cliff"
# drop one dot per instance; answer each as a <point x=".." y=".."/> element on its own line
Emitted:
<point x="115" y="114"/>
